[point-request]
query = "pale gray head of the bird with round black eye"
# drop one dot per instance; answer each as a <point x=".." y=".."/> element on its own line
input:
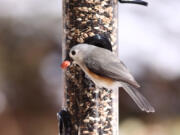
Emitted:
<point x="78" y="52"/>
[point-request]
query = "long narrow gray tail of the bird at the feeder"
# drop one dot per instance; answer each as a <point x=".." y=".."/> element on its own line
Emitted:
<point x="139" y="99"/>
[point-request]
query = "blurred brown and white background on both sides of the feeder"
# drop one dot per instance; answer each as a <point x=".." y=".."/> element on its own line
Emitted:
<point x="30" y="77"/>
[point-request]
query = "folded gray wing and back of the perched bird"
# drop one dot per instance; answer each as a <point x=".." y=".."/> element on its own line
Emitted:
<point x="105" y="63"/>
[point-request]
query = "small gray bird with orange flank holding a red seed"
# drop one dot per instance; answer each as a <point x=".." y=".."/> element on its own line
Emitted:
<point x="106" y="70"/>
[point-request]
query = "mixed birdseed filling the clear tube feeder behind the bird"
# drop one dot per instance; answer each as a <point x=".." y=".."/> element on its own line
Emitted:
<point x="91" y="109"/>
